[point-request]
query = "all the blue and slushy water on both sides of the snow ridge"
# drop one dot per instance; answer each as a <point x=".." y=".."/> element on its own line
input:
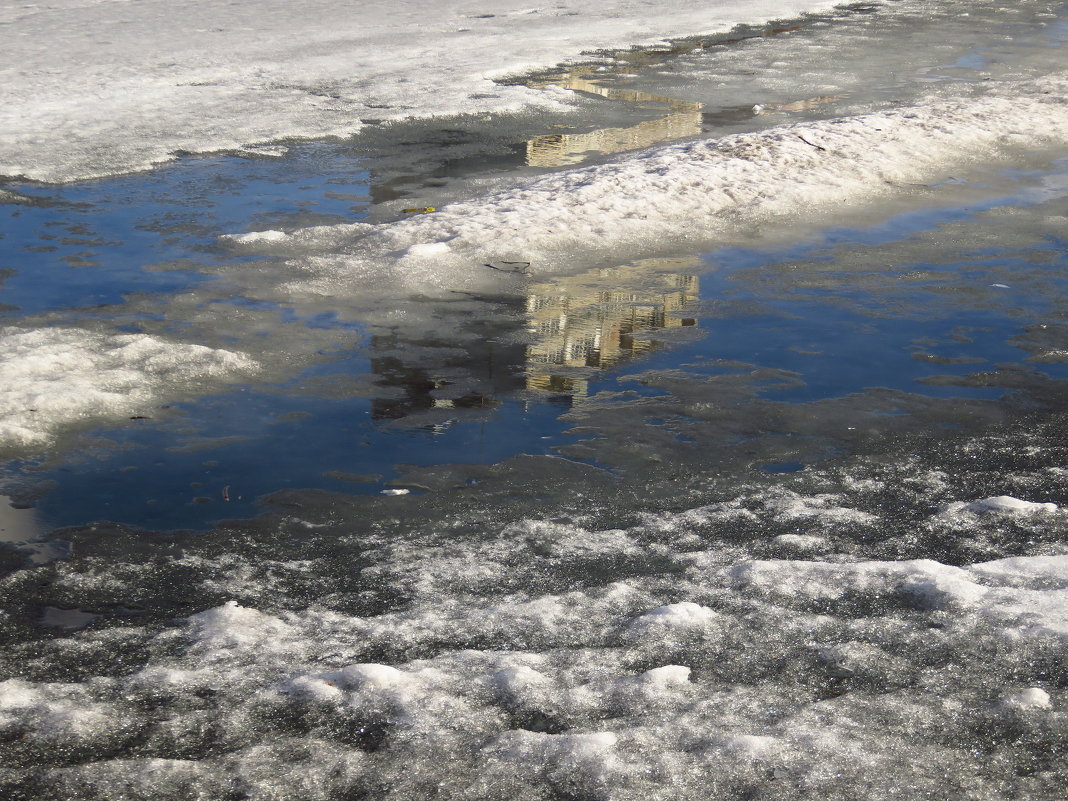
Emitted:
<point x="355" y="398"/>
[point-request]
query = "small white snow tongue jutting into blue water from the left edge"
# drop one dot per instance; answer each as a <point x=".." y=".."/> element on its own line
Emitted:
<point x="55" y="379"/>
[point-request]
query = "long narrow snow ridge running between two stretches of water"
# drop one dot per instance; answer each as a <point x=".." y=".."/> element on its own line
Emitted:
<point x="695" y="194"/>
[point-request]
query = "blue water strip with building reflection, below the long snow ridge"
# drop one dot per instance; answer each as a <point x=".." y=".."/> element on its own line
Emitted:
<point x="902" y="307"/>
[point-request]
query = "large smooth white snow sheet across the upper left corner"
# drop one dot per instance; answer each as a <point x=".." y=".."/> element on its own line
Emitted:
<point x="97" y="88"/>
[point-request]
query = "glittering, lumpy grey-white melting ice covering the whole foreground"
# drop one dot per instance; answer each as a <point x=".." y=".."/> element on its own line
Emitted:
<point x="704" y="646"/>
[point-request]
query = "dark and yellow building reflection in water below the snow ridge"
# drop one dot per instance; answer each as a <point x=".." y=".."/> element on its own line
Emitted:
<point x="554" y="341"/>
